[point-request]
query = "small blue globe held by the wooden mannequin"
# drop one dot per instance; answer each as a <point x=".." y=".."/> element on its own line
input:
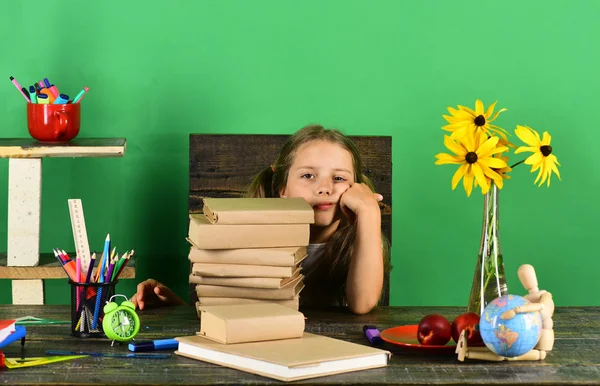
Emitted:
<point x="512" y="337"/>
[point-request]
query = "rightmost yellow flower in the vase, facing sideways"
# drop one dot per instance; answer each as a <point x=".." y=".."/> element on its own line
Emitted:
<point x="542" y="157"/>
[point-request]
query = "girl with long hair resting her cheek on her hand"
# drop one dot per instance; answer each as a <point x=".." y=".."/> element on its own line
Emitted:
<point x="347" y="255"/>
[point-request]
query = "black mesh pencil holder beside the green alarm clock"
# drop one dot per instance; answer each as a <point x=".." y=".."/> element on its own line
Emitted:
<point x="87" y="304"/>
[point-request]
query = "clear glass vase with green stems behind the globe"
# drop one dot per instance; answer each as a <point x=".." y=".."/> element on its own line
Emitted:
<point x="489" y="280"/>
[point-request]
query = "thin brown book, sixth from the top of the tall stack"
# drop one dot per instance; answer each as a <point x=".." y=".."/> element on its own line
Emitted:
<point x="289" y="291"/>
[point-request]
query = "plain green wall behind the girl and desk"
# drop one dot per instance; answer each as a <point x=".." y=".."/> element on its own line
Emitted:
<point x="158" y="71"/>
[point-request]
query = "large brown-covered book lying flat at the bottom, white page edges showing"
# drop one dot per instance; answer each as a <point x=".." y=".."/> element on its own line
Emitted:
<point x="286" y="359"/>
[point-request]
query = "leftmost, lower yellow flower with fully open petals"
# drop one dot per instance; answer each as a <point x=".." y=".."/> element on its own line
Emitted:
<point x="475" y="155"/>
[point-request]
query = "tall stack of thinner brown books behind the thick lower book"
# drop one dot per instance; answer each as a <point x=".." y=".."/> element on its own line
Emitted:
<point x="249" y="250"/>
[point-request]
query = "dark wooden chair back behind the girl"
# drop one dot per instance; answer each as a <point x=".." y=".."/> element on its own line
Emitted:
<point x="222" y="165"/>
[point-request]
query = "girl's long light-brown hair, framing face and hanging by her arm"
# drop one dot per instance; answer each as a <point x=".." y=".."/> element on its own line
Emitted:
<point x="326" y="282"/>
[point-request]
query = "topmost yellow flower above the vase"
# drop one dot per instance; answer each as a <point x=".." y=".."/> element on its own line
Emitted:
<point x="464" y="119"/>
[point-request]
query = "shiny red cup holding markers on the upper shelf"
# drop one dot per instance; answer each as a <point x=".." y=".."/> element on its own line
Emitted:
<point x="53" y="123"/>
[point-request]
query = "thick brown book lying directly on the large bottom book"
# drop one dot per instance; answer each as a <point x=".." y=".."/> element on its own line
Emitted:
<point x="241" y="323"/>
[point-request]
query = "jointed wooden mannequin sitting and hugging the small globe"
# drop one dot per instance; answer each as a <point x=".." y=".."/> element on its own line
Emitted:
<point x="541" y="301"/>
